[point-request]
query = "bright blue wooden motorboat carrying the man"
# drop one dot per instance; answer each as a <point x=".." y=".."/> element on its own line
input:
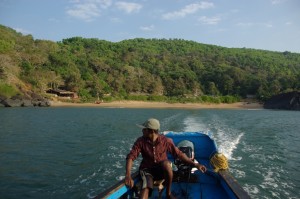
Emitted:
<point x="188" y="182"/>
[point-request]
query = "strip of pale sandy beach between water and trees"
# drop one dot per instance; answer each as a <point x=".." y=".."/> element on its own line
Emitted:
<point x="142" y="104"/>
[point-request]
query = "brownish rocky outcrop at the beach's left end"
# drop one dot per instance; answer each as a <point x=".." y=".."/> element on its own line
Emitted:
<point x="27" y="100"/>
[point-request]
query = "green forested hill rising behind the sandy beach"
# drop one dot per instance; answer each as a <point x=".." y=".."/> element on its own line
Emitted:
<point x="149" y="67"/>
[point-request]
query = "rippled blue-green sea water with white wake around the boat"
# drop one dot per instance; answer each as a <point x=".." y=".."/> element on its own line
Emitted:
<point x="79" y="152"/>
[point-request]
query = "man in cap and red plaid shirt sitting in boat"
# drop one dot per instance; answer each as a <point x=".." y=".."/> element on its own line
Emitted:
<point x="155" y="164"/>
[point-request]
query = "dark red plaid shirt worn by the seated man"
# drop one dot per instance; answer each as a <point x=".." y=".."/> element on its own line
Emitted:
<point x="153" y="153"/>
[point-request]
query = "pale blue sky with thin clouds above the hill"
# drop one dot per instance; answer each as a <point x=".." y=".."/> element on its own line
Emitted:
<point x="258" y="24"/>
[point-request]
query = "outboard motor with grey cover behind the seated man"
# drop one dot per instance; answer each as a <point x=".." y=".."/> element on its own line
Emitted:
<point x="187" y="147"/>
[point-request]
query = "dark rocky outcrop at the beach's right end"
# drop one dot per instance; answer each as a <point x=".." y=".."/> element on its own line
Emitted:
<point x="286" y="101"/>
